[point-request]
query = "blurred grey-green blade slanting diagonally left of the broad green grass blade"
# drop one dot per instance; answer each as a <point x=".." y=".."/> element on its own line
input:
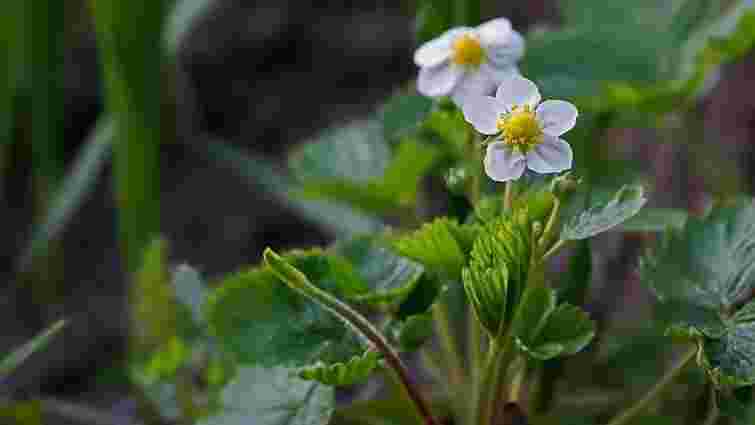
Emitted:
<point x="74" y="190"/>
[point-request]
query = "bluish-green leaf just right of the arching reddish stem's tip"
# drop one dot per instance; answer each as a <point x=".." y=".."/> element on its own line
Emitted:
<point x="390" y="277"/>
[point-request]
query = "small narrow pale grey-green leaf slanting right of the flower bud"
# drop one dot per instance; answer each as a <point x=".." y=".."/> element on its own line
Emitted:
<point x="627" y="202"/>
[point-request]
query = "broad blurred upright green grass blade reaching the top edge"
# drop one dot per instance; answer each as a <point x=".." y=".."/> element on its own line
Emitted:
<point x="129" y="36"/>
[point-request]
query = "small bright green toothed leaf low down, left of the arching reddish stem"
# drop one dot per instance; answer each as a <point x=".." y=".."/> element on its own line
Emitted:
<point x="354" y="371"/>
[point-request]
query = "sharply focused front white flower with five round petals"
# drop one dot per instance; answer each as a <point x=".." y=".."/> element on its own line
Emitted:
<point x="527" y="131"/>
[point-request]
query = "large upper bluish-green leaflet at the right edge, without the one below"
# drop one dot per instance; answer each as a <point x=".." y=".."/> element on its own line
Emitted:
<point x="700" y="273"/>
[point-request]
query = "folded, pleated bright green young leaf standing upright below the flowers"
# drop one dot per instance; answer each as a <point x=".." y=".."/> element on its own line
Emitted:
<point x="497" y="272"/>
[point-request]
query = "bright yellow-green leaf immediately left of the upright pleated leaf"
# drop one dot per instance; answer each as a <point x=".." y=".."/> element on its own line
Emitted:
<point x="442" y="246"/>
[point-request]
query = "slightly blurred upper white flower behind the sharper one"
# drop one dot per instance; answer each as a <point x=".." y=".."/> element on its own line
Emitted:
<point x="469" y="61"/>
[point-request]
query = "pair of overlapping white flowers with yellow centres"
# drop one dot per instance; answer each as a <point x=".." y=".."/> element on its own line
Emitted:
<point x="469" y="64"/>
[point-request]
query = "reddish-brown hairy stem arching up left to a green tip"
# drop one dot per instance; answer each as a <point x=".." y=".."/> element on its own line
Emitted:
<point x="297" y="281"/>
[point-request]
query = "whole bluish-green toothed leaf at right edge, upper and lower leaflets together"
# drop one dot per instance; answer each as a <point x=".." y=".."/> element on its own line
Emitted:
<point x="700" y="276"/>
